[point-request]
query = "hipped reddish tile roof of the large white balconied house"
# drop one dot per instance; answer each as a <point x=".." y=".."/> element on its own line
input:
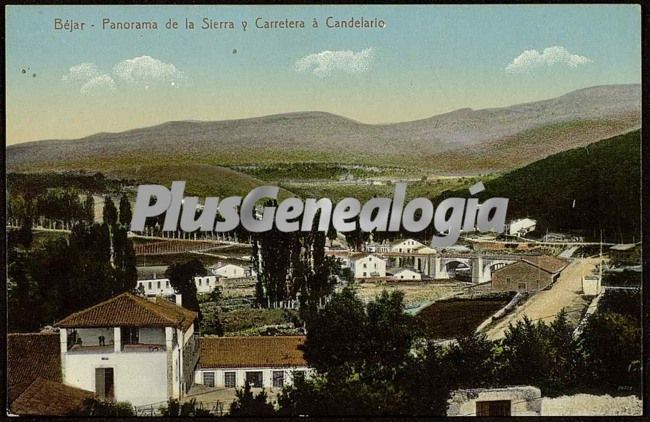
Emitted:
<point x="129" y="310"/>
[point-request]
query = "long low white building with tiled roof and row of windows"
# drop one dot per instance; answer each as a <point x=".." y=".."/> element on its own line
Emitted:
<point x="269" y="362"/>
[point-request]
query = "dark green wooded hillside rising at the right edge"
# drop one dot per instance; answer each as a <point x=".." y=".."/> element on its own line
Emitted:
<point x="581" y="190"/>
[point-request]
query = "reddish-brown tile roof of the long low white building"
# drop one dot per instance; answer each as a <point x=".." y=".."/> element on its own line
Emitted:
<point x="251" y="352"/>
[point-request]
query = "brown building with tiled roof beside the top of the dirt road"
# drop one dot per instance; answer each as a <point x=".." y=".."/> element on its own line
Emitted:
<point x="530" y="274"/>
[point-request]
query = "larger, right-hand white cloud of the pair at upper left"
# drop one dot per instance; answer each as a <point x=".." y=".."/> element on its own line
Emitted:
<point x="146" y="69"/>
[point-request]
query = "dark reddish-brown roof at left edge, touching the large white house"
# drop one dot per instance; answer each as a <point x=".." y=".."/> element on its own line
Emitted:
<point x="32" y="355"/>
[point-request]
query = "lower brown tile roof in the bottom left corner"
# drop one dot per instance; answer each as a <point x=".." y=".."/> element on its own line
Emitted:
<point x="49" y="398"/>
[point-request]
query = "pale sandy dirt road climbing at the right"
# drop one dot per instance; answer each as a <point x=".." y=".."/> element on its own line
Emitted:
<point x="544" y="305"/>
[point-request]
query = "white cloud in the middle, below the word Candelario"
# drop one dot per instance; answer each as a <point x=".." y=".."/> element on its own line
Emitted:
<point x="323" y="64"/>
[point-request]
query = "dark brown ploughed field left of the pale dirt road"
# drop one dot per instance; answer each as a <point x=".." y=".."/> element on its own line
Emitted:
<point x="451" y="318"/>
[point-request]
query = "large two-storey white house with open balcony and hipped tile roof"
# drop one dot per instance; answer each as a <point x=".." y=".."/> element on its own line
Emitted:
<point x="130" y="348"/>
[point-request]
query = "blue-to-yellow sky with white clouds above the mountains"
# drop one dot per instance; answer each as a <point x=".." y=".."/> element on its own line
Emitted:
<point x="426" y="60"/>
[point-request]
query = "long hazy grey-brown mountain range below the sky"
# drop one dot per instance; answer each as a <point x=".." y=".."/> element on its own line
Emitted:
<point x="464" y="141"/>
